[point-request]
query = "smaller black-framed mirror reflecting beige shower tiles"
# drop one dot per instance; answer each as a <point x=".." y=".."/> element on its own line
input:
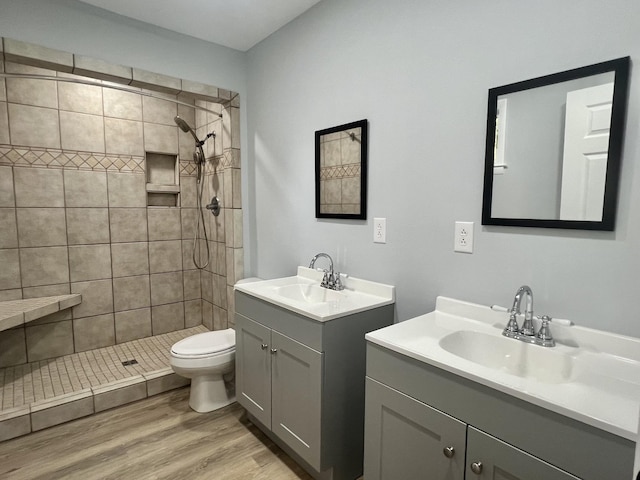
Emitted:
<point x="341" y="171"/>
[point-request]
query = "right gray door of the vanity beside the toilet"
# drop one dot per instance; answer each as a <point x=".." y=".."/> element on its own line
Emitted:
<point x="296" y="389"/>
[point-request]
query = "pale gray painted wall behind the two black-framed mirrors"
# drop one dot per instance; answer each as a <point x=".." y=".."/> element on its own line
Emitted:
<point x="420" y="72"/>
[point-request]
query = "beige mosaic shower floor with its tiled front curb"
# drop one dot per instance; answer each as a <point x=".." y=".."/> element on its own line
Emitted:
<point x="40" y="394"/>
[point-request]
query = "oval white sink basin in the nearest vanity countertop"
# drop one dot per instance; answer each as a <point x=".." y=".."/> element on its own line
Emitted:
<point x="511" y="356"/>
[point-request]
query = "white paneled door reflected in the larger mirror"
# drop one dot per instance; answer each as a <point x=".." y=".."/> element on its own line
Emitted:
<point x="586" y="142"/>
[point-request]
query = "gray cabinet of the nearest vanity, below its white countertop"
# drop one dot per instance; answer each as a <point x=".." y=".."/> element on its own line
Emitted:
<point x="424" y="422"/>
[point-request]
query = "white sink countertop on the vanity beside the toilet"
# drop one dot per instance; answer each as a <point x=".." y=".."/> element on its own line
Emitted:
<point x="358" y="295"/>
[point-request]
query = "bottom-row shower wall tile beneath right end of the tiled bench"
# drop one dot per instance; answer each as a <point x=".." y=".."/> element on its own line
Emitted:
<point x="50" y="340"/>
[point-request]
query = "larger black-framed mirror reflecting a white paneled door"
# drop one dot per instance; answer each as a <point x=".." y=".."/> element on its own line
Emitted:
<point x="554" y="147"/>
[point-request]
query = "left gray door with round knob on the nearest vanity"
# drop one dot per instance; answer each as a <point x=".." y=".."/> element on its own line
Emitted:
<point x="406" y="439"/>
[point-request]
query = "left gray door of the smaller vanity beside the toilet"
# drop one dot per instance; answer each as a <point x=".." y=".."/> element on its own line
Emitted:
<point x="253" y="368"/>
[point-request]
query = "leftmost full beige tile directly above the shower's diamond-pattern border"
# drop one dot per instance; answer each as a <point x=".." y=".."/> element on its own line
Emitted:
<point x="34" y="126"/>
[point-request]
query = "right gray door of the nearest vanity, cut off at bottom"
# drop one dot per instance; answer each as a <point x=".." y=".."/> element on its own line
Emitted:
<point x="501" y="461"/>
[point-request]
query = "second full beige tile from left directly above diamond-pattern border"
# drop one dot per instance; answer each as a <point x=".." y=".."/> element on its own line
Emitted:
<point x="79" y="131"/>
